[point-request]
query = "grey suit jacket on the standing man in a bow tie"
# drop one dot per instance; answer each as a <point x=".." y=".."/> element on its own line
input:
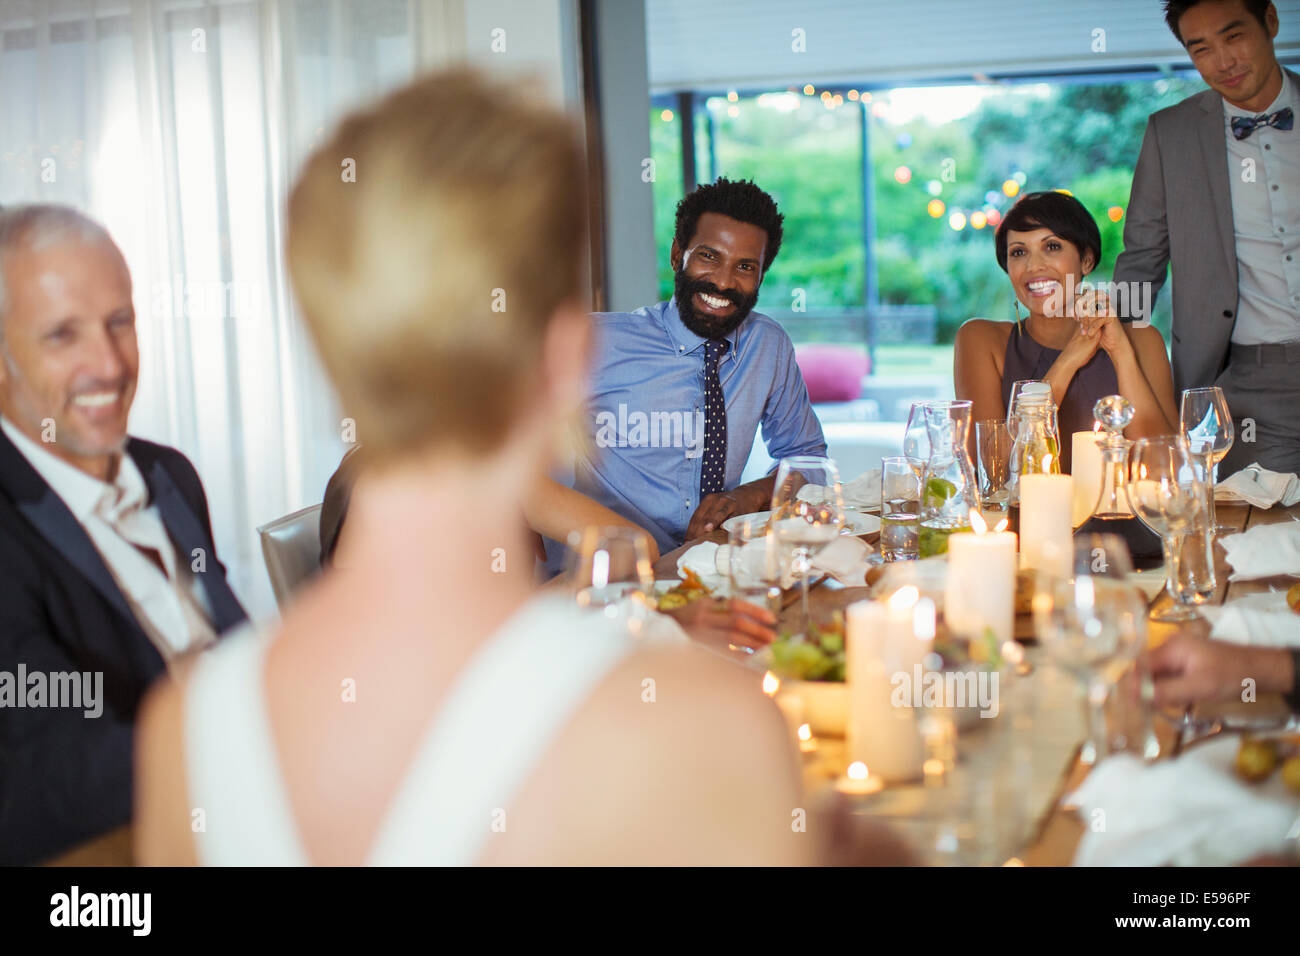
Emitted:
<point x="1181" y="214"/>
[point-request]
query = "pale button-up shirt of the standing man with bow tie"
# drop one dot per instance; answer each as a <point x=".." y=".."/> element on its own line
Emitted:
<point x="1267" y="226"/>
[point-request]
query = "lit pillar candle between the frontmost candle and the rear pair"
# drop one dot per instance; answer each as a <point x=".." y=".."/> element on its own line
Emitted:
<point x="981" y="591"/>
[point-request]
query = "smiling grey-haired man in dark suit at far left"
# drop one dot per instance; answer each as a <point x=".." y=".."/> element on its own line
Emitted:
<point x="107" y="568"/>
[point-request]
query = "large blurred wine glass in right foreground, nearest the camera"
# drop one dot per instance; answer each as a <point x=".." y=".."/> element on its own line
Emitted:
<point x="1093" y="625"/>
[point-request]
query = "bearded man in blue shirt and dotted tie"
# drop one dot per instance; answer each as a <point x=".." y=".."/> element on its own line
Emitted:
<point x="679" y="390"/>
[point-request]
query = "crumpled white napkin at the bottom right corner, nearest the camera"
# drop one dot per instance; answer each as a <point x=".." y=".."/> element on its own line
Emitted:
<point x="1185" y="812"/>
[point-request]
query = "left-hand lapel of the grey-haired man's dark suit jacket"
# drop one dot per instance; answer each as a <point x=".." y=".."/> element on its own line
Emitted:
<point x="47" y="513"/>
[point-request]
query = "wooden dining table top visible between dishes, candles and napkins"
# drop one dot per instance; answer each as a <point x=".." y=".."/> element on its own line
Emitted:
<point x="1006" y="799"/>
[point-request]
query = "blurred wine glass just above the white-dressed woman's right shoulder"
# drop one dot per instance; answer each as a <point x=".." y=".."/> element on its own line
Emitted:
<point x="610" y="572"/>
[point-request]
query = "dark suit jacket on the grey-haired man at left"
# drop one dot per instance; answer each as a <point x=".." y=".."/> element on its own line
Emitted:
<point x="64" y="777"/>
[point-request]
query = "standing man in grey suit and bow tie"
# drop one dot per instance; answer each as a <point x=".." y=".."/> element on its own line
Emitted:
<point x="1217" y="196"/>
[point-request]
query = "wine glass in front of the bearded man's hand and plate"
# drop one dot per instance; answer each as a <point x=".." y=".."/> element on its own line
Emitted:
<point x="807" y="520"/>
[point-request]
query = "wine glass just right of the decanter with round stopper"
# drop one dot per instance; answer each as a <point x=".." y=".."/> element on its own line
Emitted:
<point x="1168" y="492"/>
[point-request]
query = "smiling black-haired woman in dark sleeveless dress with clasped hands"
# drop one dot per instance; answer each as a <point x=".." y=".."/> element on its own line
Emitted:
<point x="1072" y="339"/>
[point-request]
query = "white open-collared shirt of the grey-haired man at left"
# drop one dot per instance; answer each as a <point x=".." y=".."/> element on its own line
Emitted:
<point x="171" y="608"/>
